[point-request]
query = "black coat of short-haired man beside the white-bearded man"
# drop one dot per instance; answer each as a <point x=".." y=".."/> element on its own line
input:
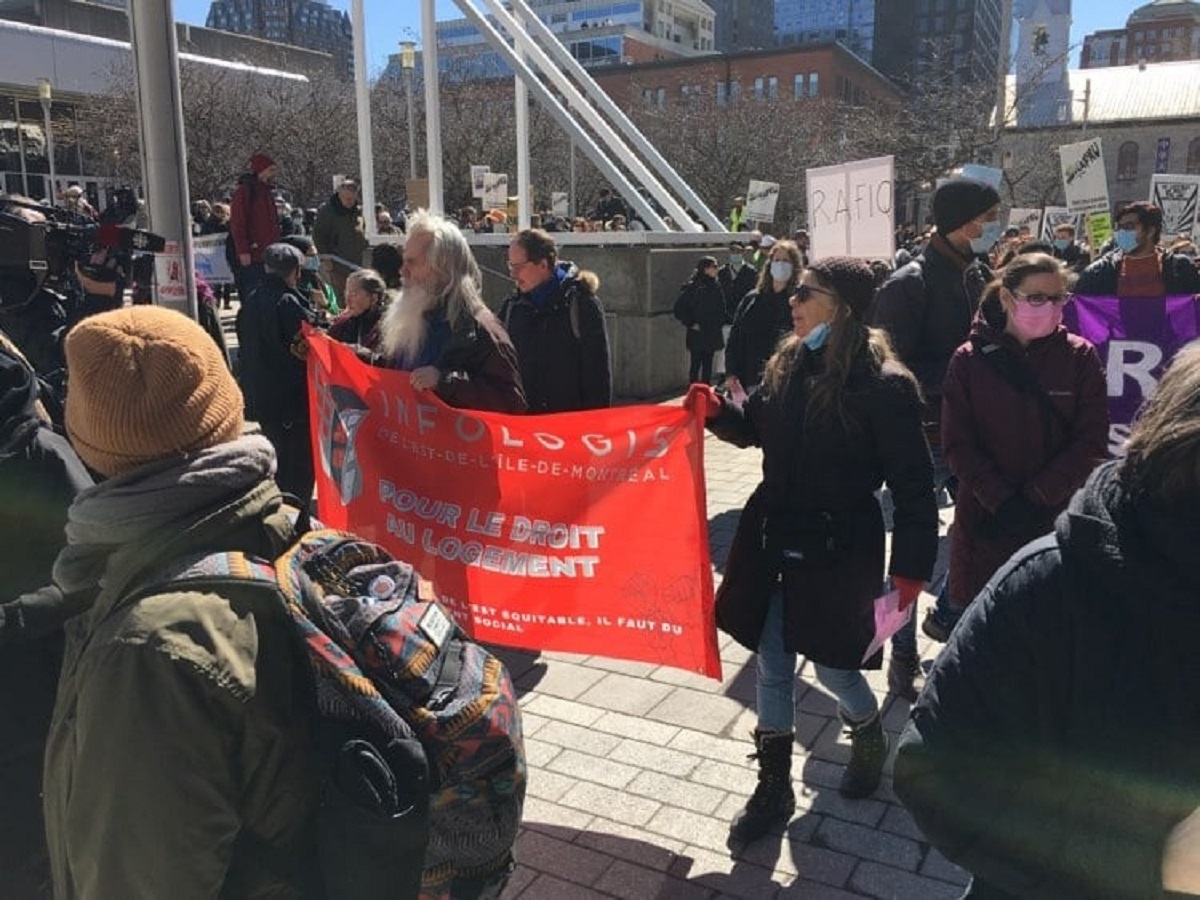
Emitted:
<point x="563" y="353"/>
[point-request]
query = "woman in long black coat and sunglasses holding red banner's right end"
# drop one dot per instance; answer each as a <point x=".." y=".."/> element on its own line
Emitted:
<point x="837" y="416"/>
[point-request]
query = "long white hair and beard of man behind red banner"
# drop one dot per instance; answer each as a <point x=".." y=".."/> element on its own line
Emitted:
<point x="455" y="284"/>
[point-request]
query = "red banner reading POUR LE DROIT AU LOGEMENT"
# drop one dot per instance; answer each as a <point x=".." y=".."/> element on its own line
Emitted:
<point x="578" y="532"/>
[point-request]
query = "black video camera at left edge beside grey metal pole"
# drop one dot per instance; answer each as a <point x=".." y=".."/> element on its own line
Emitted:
<point x="38" y="253"/>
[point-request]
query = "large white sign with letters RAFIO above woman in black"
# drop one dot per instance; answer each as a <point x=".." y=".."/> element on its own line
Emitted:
<point x="850" y="209"/>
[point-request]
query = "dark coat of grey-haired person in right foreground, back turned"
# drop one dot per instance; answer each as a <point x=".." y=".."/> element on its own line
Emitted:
<point x="1054" y="747"/>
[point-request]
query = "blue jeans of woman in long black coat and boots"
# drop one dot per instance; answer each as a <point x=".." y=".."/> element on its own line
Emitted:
<point x="777" y="680"/>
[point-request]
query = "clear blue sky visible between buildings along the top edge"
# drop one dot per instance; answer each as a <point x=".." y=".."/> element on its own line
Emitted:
<point x="391" y="21"/>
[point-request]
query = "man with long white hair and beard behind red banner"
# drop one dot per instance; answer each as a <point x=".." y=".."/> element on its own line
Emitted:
<point x="440" y="331"/>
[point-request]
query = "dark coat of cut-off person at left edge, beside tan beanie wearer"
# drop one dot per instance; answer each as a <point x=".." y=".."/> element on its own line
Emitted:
<point x="40" y="476"/>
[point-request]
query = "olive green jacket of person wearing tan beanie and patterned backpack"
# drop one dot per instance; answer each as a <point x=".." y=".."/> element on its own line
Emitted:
<point x="179" y="764"/>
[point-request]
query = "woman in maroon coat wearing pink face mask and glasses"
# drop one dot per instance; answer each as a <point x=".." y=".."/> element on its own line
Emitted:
<point x="1024" y="421"/>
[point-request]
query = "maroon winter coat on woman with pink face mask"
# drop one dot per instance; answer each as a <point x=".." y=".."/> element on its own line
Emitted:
<point x="999" y="441"/>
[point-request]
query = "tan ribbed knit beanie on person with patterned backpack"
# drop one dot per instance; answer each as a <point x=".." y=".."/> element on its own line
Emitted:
<point x="147" y="383"/>
